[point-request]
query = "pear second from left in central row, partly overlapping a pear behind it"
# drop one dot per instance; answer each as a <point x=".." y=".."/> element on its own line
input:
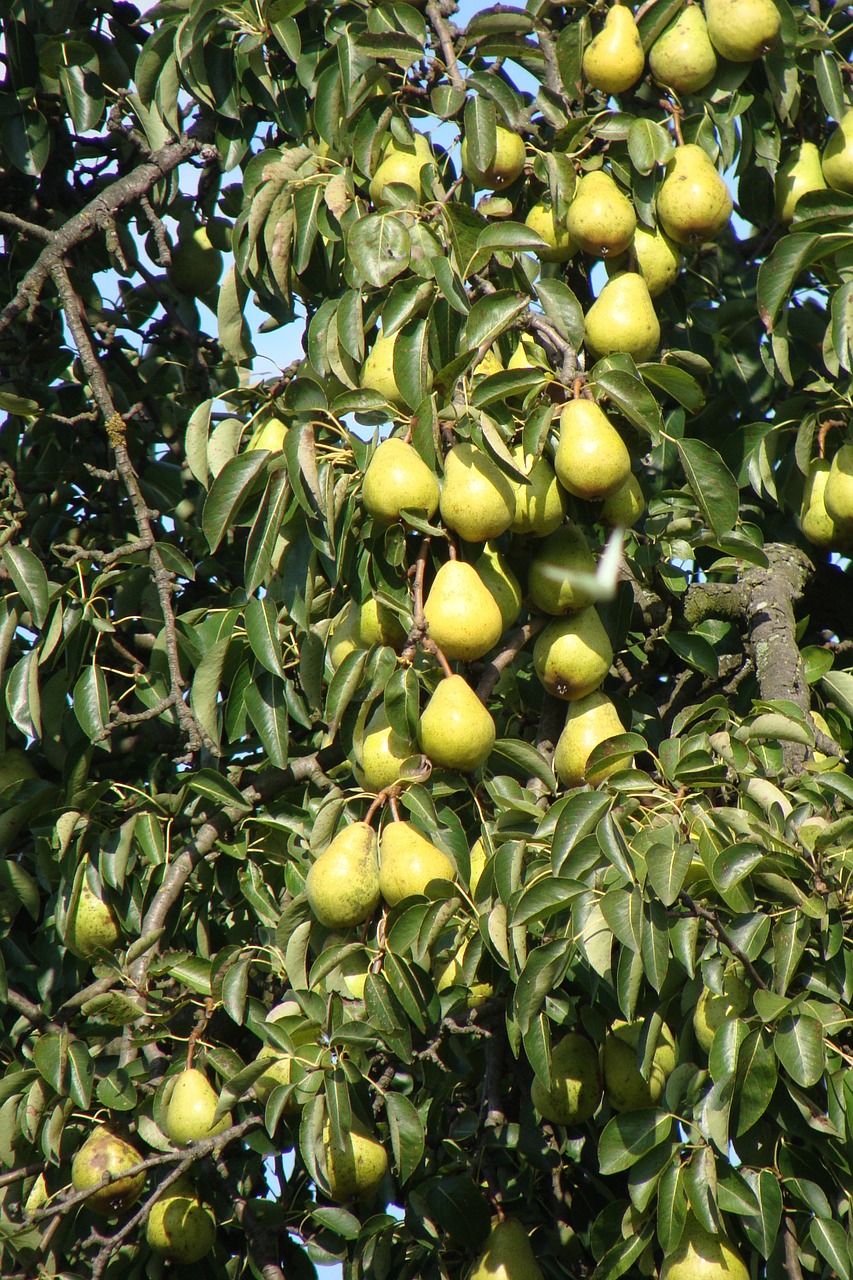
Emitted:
<point x="478" y="501"/>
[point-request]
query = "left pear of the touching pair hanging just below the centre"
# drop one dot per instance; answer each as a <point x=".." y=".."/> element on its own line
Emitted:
<point x="343" y="885"/>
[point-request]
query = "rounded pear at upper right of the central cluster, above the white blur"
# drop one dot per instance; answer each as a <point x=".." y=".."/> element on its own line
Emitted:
<point x="592" y="460"/>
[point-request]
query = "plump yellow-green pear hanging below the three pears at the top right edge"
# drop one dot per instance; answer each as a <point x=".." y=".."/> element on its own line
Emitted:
<point x="694" y="204"/>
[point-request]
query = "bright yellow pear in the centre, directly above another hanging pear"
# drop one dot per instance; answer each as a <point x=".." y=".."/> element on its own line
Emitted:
<point x="463" y="616"/>
